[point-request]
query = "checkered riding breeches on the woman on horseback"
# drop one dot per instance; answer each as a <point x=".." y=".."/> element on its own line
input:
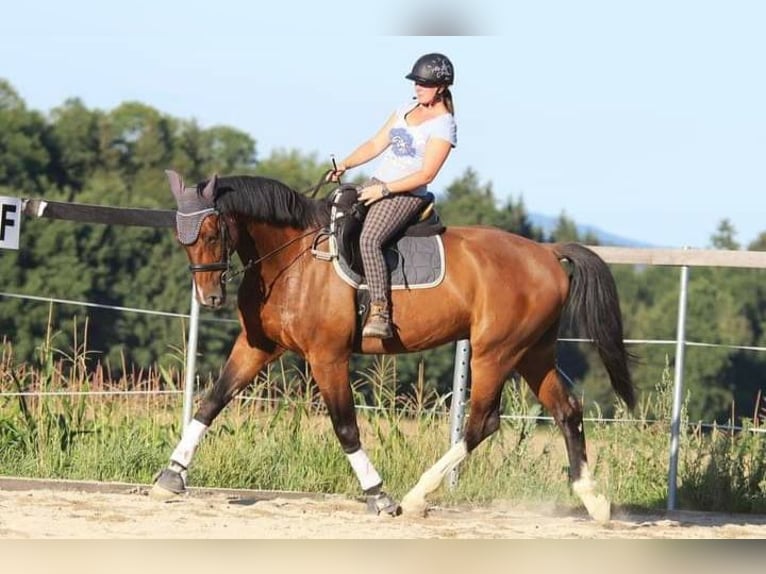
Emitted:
<point x="384" y="219"/>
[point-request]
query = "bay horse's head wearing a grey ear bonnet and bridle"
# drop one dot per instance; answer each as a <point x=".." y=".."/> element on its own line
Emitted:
<point x="202" y="230"/>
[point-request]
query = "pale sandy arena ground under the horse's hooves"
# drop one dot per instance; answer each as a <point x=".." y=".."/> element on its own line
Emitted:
<point x="35" y="511"/>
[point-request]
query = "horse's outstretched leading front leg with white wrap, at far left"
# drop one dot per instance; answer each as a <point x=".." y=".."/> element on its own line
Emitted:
<point x="241" y="367"/>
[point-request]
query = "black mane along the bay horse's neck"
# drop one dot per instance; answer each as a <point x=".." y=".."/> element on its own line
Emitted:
<point x="269" y="201"/>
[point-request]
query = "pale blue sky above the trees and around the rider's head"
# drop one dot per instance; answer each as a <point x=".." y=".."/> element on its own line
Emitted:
<point x="645" y="119"/>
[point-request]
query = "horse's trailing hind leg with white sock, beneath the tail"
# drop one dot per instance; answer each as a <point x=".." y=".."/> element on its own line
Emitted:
<point x="539" y="370"/>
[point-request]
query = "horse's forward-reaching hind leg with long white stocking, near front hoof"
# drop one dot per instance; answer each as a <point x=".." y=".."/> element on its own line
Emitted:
<point x="487" y="378"/>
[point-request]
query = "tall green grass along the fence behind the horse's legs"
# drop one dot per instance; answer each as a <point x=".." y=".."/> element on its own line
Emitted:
<point x="277" y="436"/>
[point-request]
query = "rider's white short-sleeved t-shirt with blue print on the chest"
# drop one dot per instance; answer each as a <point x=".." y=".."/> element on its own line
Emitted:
<point x="407" y="146"/>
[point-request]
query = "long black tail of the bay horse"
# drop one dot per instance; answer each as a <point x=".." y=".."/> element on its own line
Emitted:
<point x="593" y="302"/>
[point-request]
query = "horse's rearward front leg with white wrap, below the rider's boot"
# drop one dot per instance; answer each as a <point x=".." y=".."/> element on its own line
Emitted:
<point x="333" y="383"/>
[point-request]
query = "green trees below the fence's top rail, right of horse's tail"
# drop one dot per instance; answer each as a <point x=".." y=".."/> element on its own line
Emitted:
<point x="724" y="307"/>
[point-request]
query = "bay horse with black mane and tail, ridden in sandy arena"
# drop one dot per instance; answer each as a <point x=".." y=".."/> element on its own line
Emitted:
<point x="504" y="293"/>
